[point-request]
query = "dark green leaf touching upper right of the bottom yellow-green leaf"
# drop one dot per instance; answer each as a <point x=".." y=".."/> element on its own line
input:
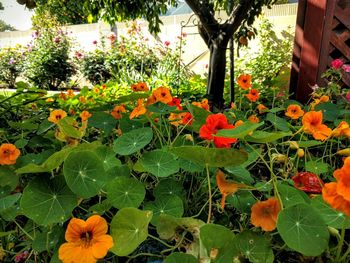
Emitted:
<point x="170" y="205"/>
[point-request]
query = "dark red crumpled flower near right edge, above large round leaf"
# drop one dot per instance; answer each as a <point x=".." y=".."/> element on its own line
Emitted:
<point x="308" y="182"/>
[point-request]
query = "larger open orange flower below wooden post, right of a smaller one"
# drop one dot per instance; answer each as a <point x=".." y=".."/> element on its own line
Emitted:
<point x="312" y="124"/>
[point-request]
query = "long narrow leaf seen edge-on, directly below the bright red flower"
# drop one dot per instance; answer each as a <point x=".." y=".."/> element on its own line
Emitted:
<point x="214" y="157"/>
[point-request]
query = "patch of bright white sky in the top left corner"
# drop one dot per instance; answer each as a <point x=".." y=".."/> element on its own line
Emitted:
<point x="16" y="15"/>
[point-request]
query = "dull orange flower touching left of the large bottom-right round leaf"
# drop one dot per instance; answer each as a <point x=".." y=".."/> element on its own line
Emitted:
<point x="264" y="214"/>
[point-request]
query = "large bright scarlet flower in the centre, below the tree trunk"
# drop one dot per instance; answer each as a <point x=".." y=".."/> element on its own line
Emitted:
<point x="213" y="124"/>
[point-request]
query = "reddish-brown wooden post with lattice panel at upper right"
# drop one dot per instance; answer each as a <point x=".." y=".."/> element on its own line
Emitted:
<point x="322" y="35"/>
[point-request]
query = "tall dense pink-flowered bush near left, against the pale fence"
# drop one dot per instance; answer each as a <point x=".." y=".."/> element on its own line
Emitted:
<point x="48" y="63"/>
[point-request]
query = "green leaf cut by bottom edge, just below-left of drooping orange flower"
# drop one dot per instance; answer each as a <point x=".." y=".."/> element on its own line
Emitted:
<point x="254" y="247"/>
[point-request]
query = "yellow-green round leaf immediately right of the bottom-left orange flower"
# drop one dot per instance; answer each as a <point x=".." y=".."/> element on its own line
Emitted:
<point x="129" y="228"/>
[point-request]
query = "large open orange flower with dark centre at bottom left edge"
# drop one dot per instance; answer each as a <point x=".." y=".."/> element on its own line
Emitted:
<point x="87" y="241"/>
